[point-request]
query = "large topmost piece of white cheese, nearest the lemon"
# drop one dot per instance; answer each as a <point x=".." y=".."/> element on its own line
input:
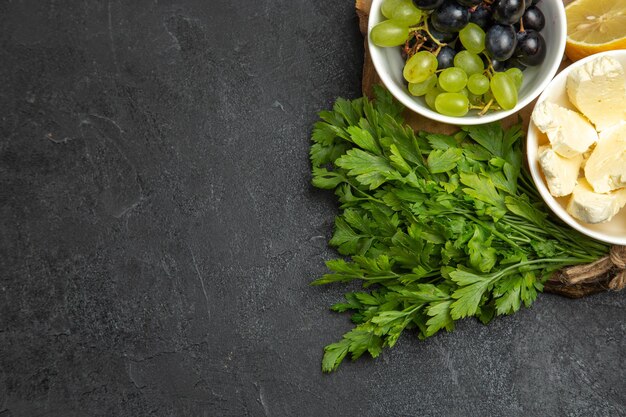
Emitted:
<point x="598" y="90"/>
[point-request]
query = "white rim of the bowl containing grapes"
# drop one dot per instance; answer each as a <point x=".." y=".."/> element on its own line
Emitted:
<point x="376" y="55"/>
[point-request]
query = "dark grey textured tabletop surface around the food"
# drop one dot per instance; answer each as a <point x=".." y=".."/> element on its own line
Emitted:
<point x="158" y="232"/>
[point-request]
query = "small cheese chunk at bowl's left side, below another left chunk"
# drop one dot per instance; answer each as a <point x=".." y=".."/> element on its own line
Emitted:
<point x="561" y="173"/>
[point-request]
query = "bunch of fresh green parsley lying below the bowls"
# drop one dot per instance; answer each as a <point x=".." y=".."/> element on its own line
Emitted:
<point x="435" y="227"/>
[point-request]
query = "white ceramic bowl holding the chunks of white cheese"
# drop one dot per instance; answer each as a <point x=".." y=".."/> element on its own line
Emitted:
<point x="613" y="231"/>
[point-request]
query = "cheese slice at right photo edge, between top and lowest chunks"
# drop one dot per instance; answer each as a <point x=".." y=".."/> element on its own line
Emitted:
<point x="606" y="167"/>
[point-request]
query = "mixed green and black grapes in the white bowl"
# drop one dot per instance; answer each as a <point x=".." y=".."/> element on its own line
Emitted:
<point x="464" y="54"/>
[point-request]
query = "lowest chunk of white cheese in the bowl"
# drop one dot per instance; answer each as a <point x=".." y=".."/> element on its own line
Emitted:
<point x="590" y="207"/>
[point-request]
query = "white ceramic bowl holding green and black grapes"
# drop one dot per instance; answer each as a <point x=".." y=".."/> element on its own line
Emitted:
<point x="389" y="64"/>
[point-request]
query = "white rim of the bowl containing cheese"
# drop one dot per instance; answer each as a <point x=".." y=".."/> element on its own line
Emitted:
<point x="554" y="205"/>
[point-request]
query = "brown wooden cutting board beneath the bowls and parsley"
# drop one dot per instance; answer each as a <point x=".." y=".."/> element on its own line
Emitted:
<point x="558" y="283"/>
